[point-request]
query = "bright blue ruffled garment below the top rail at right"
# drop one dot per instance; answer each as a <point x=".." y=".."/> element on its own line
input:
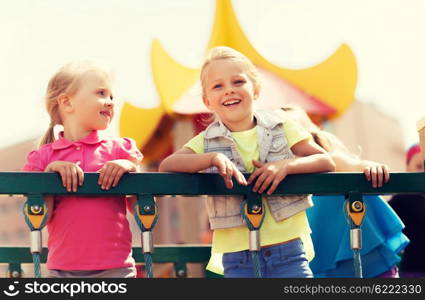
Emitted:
<point x="382" y="237"/>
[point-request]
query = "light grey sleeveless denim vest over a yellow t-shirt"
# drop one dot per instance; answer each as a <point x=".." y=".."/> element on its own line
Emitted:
<point x="224" y="211"/>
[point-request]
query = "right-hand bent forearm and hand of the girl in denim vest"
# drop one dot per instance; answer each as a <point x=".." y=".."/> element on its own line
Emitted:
<point x="312" y="158"/>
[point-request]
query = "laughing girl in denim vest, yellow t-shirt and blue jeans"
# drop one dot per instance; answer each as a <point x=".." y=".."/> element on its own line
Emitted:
<point x="264" y="145"/>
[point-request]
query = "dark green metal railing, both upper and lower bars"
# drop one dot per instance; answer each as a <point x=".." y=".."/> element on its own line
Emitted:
<point x="148" y="185"/>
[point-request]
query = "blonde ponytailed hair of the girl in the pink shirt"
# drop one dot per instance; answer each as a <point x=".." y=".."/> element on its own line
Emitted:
<point x="66" y="80"/>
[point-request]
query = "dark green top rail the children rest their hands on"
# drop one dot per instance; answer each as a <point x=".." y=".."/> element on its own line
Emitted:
<point x="159" y="184"/>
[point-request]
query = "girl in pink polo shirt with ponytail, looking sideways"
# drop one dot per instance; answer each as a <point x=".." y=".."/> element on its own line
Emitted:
<point x="88" y="236"/>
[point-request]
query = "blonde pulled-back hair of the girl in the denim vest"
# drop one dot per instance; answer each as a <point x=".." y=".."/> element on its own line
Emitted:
<point x="222" y="52"/>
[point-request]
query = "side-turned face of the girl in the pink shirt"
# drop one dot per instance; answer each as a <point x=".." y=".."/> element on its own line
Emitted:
<point x="92" y="104"/>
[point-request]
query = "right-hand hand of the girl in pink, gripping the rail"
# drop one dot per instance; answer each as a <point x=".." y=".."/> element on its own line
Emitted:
<point x="112" y="171"/>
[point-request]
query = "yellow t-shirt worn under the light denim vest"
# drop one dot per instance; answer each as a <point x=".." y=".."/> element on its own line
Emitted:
<point x="271" y="232"/>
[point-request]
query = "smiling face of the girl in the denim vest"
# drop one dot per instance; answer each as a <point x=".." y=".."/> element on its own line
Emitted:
<point x="230" y="92"/>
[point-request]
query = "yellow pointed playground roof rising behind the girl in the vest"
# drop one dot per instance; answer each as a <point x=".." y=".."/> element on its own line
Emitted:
<point x="328" y="87"/>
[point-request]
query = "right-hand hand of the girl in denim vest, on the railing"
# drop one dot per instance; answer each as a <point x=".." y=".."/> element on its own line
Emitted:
<point x="268" y="173"/>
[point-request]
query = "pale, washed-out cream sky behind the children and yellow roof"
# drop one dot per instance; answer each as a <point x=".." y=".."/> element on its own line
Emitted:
<point x="387" y="38"/>
